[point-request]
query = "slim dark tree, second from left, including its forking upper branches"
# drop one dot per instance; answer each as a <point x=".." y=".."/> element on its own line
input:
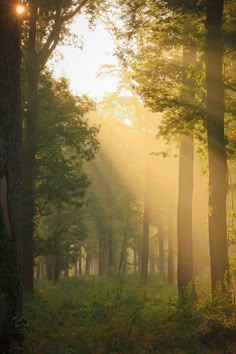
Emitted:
<point x="48" y="23"/>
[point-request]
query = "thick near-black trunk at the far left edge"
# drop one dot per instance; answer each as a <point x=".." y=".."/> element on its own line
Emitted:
<point x="10" y="180"/>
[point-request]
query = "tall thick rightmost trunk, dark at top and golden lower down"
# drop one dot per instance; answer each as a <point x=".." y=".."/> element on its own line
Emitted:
<point x="216" y="144"/>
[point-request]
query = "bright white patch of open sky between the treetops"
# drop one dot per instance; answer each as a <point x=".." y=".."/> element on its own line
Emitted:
<point x="82" y="66"/>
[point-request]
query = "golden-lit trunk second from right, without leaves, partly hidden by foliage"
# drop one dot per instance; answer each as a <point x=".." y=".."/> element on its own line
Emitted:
<point x="186" y="156"/>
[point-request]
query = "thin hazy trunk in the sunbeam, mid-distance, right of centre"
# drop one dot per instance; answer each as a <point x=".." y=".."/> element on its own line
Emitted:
<point x="145" y="240"/>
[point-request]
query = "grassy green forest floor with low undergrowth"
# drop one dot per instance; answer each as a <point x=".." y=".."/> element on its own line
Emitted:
<point x="112" y="316"/>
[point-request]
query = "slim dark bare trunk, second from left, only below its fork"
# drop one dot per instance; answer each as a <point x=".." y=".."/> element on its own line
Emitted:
<point x="30" y="139"/>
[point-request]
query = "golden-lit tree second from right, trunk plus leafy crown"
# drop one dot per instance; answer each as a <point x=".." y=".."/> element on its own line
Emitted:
<point x="167" y="84"/>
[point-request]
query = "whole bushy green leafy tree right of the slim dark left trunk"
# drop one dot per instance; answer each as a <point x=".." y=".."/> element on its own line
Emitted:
<point x="66" y="140"/>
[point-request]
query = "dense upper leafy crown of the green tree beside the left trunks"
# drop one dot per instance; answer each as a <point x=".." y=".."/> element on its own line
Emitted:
<point x="65" y="140"/>
